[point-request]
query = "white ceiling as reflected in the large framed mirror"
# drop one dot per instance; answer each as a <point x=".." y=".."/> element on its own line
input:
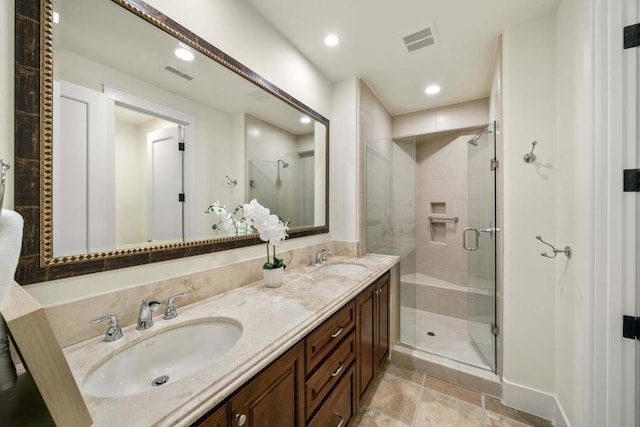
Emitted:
<point x="86" y="29"/>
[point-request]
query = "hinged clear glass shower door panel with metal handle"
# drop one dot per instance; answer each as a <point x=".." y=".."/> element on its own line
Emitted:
<point x="480" y="242"/>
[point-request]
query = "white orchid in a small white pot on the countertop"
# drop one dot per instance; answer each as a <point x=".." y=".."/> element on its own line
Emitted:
<point x="273" y="231"/>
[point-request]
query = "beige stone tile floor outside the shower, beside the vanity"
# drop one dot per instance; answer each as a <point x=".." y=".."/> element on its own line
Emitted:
<point x="402" y="397"/>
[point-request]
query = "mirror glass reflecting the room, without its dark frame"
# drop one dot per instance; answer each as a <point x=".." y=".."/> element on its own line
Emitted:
<point x="110" y="102"/>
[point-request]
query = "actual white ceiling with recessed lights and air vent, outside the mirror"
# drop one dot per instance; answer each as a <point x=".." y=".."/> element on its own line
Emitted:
<point x="371" y="46"/>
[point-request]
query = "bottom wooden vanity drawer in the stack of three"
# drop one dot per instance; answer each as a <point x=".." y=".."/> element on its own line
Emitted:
<point x="339" y="408"/>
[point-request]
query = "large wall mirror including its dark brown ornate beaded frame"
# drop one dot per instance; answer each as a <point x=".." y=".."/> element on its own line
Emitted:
<point x="129" y="127"/>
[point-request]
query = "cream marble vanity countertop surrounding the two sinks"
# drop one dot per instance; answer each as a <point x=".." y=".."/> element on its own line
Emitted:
<point x="272" y="319"/>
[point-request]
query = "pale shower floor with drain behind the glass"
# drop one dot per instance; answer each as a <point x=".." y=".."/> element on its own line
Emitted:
<point x="450" y="337"/>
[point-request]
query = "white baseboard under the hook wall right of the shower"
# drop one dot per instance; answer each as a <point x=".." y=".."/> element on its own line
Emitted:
<point x="536" y="402"/>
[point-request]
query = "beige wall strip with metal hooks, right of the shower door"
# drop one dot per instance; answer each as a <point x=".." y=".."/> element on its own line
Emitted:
<point x="530" y="195"/>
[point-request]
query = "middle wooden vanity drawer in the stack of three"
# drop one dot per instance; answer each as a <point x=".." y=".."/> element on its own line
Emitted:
<point x="329" y="373"/>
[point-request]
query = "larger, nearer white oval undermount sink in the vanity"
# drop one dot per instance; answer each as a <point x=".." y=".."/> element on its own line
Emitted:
<point x="162" y="358"/>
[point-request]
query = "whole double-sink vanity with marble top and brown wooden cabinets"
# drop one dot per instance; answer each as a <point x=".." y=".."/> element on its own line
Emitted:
<point x="301" y="354"/>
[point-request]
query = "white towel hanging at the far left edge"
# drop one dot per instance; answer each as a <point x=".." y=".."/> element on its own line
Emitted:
<point x="11" y="224"/>
